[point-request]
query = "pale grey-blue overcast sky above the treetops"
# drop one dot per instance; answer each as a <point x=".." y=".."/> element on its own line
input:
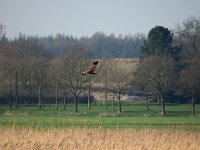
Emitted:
<point x="85" y="17"/>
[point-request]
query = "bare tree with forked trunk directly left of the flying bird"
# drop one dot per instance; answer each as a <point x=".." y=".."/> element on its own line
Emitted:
<point x="73" y="65"/>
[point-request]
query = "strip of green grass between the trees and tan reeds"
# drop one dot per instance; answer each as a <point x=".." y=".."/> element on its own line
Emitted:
<point x="132" y="116"/>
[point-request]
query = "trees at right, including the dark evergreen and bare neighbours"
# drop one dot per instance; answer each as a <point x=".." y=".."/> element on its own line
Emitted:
<point x="171" y="62"/>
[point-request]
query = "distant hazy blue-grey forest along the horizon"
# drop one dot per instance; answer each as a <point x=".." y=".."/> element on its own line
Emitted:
<point x="99" y="45"/>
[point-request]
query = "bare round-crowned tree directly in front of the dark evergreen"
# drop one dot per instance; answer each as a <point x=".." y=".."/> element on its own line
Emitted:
<point x="157" y="72"/>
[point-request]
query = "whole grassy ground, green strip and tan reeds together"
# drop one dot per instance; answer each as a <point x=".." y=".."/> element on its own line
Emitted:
<point x="134" y="128"/>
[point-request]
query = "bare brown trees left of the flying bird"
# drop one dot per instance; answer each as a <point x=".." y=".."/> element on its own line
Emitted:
<point x="27" y="70"/>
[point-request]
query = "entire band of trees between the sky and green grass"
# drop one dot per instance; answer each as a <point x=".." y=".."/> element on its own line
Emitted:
<point x="52" y="66"/>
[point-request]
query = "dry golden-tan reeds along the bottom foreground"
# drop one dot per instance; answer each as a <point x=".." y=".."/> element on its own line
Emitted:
<point x="94" y="139"/>
